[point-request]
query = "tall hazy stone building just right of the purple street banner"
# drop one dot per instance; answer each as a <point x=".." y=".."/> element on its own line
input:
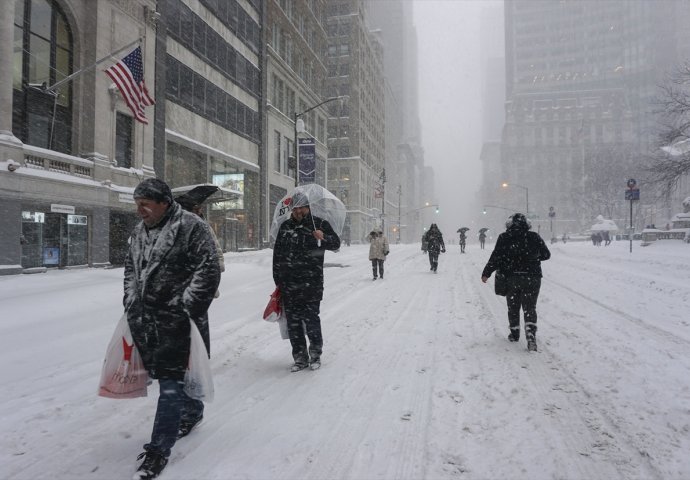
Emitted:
<point x="356" y="126"/>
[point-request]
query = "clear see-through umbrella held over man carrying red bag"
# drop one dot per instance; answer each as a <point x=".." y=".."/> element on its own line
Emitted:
<point x="322" y="204"/>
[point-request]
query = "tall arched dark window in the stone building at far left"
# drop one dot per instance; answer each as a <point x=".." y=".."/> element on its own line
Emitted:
<point x="43" y="52"/>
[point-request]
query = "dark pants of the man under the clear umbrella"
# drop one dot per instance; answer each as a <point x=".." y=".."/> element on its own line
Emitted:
<point x="303" y="318"/>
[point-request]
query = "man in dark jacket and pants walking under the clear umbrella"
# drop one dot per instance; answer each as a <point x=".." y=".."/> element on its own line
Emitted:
<point x="298" y="255"/>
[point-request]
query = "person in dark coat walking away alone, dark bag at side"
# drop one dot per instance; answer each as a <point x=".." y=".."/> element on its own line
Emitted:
<point x="518" y="255"/>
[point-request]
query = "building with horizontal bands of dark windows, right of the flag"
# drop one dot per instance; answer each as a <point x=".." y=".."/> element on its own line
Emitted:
<point x="209" y="128"/>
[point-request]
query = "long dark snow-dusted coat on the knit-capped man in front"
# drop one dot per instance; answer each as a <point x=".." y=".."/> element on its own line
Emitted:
<point x="176" y="285"/>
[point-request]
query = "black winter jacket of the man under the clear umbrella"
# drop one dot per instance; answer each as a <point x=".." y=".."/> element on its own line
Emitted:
<point x="298" y="260"/>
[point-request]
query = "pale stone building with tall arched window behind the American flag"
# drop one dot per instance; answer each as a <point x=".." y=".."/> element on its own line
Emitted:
<point x="70" y="152"/>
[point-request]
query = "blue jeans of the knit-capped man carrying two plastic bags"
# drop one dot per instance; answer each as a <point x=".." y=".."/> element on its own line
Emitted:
<point x="173" y="406"/>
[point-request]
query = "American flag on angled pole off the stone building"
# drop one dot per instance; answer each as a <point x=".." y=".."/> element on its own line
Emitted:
<point x="128" y="75"/>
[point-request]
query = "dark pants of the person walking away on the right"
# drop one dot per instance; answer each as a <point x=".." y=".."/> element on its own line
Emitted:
<point x="523" y="292"/>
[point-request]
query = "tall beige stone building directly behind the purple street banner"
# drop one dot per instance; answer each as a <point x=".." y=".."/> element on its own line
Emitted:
<point x="295" y="83"/>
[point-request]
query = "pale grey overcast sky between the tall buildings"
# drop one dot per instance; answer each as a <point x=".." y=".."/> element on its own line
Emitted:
<point x="450" y="101"/>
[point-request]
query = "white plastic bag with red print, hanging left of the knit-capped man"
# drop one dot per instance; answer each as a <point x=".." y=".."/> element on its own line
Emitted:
<point x="123" y="374"/>
